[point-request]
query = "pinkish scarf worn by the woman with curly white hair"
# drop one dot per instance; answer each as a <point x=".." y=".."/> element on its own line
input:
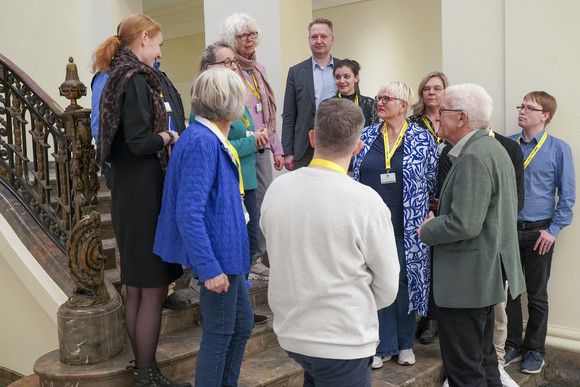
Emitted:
<point x="266" y="93"/>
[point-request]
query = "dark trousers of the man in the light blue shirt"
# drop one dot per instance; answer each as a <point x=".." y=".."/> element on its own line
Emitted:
<point x="536" y="269"/>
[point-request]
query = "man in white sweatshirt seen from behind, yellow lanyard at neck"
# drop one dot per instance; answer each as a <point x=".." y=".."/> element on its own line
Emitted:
<point x="332" y="254"/>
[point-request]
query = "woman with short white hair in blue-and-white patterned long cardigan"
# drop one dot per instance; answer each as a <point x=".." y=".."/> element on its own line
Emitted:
<point x="399" y="160"/>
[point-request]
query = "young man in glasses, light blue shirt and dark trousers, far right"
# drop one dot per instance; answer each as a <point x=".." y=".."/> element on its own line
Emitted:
<point x="548" y="171"/>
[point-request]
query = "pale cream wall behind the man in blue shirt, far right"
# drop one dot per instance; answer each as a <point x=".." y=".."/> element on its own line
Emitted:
<point x="511" y="47"/>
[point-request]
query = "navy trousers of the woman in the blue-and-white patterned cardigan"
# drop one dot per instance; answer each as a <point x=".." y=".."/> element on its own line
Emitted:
<point x="396" y="325"/>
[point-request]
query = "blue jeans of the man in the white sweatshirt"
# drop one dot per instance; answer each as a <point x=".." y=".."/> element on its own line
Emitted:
<point x="322" y="372"/>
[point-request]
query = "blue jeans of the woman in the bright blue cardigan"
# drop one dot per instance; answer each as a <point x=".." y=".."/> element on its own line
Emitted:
<point x="227" y="319"/>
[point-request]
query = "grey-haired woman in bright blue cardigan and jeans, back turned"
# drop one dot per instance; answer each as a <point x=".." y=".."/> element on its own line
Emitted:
<point x="202" y="224"/>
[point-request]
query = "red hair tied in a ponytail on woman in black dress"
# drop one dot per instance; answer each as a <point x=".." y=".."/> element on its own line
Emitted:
<point x="129" y="31"/>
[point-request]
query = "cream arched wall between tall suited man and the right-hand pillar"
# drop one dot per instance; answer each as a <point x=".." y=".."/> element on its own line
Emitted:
<point x="391" y="39"/>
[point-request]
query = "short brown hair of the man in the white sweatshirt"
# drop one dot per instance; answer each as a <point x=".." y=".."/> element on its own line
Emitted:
<point x="338" y="125"/>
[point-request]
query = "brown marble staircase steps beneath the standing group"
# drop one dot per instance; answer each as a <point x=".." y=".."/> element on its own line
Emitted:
<point x="264" y="364"/>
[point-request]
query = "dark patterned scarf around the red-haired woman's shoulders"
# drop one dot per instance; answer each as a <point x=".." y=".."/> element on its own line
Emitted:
<point x="123" y="66"/>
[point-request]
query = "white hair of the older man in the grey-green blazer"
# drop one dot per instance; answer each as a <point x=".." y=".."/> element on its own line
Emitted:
<point x="474" y="101"/>
